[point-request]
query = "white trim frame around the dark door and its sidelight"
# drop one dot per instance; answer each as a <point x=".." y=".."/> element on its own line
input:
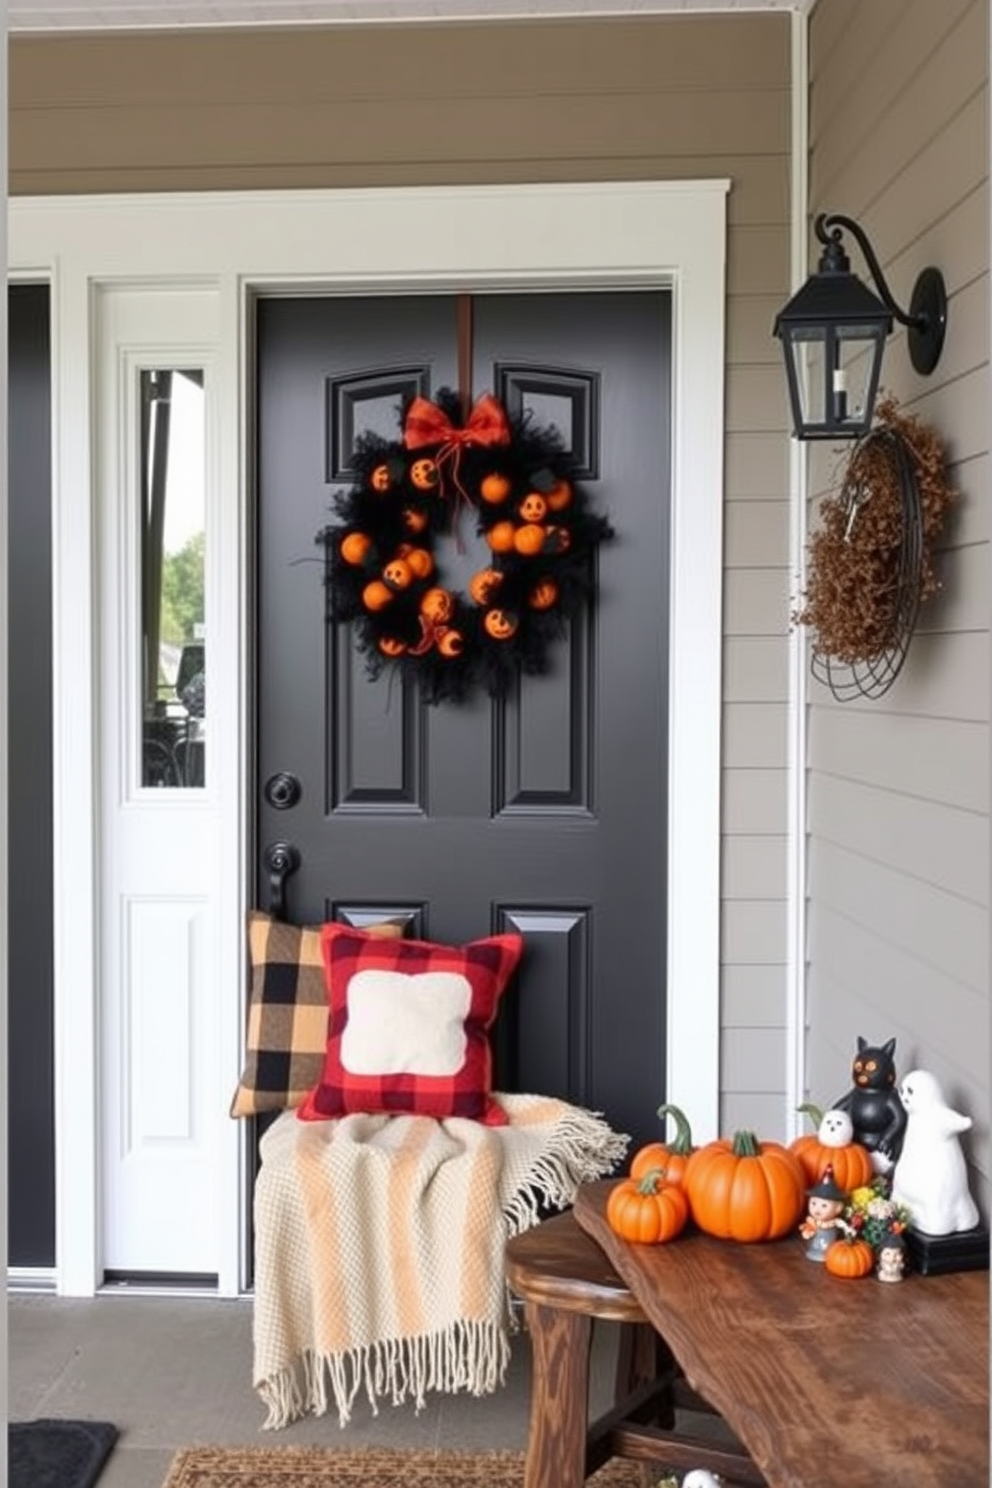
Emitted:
<point x="578" y="236"/>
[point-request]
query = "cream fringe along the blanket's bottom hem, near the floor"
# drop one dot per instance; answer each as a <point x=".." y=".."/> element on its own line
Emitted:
<point x="468" y="1356"/>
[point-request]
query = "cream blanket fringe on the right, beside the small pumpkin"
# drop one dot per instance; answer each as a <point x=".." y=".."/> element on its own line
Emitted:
<point x="585" y="1148"/>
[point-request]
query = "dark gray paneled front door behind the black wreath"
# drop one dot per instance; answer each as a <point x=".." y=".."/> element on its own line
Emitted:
<point x="544" y="812"/>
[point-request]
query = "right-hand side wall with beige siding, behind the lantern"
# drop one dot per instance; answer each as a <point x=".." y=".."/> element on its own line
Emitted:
<point x="899" y="788"/>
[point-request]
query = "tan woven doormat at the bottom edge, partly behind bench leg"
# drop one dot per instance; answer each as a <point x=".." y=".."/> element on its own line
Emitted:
<point x="323" y="1468"/>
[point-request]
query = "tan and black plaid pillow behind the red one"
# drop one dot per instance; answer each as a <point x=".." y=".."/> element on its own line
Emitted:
<point x="288" y="1014"/>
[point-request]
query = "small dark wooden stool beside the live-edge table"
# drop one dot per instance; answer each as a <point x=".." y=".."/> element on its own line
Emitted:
<point x="566" y="1282"/>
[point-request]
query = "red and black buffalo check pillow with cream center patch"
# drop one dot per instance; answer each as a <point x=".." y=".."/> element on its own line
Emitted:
<point x="410" y="1024"/>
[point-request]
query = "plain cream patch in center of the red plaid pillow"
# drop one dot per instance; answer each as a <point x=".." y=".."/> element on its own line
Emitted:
<point x="407" y="1024"/>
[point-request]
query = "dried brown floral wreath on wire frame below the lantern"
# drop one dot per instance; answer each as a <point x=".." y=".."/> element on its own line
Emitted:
<point x="871" y="563"/>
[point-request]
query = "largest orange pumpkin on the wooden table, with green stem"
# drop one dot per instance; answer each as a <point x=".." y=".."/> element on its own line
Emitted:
<point x="746" y="1190"/>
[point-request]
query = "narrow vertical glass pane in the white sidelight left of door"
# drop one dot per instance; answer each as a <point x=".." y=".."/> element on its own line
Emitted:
<point x="173" y="578"/>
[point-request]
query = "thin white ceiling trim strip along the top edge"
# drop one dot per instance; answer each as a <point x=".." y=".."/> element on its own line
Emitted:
<point x="130" y="16"/>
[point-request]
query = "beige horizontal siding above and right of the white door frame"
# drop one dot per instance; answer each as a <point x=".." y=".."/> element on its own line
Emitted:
<point x="625" y="99"/>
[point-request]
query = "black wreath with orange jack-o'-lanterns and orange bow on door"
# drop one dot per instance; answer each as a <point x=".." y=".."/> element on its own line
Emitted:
<point x="517" y="484"/>
